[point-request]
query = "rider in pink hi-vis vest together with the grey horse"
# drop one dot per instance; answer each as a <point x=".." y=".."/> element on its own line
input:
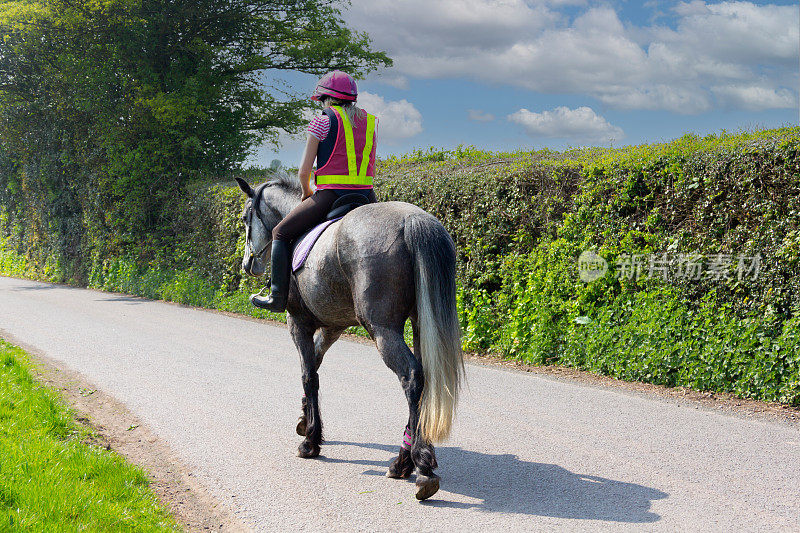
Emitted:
<point x="380" y="266"/>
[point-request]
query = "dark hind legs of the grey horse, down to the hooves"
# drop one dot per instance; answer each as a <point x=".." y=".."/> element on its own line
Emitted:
<point x="420" y="454"/>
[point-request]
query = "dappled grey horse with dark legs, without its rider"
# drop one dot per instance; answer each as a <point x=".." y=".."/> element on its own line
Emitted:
<point x="380" y="265"/>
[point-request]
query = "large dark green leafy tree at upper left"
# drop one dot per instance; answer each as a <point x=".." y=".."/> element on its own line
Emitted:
<point x="109" y="107"/>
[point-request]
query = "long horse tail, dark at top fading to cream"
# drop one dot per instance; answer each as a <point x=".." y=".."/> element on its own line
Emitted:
<point x="437" y="319"/>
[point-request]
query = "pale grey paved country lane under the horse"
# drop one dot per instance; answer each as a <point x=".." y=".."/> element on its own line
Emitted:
<point x="528" y="453"/>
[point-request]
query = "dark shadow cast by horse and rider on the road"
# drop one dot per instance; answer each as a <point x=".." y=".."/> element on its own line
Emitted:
<point x="504" y="483"/>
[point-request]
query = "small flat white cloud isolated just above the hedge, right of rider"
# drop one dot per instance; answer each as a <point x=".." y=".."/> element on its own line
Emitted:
<point x="581" y="125"/>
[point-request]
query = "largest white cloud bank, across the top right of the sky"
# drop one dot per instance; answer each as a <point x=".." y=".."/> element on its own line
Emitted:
<point x="537" y="46"/>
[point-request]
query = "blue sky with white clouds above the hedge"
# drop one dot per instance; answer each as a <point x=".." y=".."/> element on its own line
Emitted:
<point x="503" y="75"/>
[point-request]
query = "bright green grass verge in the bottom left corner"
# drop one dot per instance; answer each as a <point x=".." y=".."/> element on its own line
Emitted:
<point x="50" y="479"/>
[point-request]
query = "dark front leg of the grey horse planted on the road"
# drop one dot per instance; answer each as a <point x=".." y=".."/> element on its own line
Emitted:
<point x="303" y="336"/>
